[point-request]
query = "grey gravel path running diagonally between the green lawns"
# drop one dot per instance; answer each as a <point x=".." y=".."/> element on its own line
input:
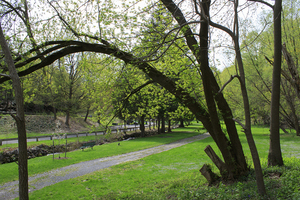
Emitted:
<point x="10" y="190"/>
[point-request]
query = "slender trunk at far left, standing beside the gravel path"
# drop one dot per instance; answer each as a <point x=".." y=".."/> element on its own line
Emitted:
<point x="20" y="120"/>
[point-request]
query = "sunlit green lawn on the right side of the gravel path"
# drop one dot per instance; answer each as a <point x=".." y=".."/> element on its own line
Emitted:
<point x="174" y="174"/>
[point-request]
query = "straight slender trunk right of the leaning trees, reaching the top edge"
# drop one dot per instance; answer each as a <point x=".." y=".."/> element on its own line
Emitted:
<point x="275" y="156"/>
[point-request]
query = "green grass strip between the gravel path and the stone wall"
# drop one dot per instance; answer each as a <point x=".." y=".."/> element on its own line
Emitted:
<point x="9" y="172"/>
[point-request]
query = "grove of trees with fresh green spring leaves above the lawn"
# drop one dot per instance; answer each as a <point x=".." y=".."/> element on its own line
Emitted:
<point x="158" y="60"/>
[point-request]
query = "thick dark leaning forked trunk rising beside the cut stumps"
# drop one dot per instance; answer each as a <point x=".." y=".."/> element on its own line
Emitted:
<point x="231" y="150"/>
